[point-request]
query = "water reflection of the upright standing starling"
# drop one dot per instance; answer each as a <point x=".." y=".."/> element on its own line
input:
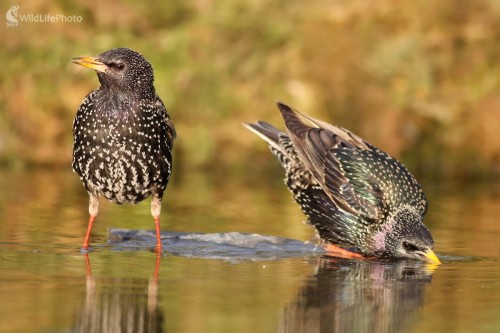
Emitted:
<point x="120" y="304"/>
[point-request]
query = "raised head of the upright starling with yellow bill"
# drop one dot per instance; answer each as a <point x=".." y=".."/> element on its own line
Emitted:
<point x="121" y="70"/>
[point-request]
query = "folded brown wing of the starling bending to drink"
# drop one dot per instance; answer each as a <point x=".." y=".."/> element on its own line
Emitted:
<point x="330" y="154"/>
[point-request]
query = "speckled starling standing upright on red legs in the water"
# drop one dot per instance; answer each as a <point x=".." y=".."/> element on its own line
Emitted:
<point x="123" y="135"/>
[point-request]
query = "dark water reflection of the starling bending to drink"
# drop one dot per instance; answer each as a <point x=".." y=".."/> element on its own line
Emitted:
<point x="359" y="296"/>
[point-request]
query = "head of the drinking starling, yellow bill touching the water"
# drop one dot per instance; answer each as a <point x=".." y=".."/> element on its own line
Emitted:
<point x="405" y="236"/>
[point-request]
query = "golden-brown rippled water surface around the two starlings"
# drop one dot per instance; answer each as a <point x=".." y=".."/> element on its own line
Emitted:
<point x="48" y="285"/>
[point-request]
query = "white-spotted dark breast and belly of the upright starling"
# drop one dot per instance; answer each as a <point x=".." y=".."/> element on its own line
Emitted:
<point x="118" y="153"/>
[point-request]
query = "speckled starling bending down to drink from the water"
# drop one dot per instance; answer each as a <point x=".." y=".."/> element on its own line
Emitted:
<point x="353" y="193"/>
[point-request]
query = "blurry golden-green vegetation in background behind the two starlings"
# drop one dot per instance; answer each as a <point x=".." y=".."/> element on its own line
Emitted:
<point x="418" y="79"/>
